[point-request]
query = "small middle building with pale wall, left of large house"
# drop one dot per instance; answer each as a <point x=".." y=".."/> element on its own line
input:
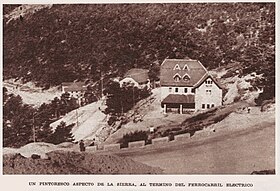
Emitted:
<point x="136" y="77"/>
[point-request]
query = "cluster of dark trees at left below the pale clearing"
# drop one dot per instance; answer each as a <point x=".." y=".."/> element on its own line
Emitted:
<point x="23" y="123"/>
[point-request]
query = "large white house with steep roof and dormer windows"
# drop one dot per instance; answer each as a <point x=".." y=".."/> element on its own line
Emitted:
<point x="186" y="85"/>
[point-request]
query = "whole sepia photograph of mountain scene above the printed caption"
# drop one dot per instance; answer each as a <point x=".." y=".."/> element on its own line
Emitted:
<point x="139" y="88"/>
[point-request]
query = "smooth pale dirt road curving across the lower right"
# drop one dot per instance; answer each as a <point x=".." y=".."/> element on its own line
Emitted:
<point x="236" y="152"/>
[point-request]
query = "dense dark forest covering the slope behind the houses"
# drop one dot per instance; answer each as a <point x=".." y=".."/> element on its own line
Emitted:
<point x="78" y="42"/>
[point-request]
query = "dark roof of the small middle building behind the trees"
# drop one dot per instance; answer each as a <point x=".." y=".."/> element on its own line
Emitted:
<point x="138" y="74"/>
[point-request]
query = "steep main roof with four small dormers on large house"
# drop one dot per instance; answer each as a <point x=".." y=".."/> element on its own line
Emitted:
<point x="193" y="68"/>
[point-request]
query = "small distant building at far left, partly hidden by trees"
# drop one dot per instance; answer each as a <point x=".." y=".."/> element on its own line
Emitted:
<point x="75" y="89"/>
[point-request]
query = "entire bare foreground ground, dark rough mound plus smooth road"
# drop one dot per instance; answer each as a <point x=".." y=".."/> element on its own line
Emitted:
<point x="240" y="151"/>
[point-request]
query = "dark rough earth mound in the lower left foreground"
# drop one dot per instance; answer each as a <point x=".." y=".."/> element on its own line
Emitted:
<point x="61" y="162"/>
